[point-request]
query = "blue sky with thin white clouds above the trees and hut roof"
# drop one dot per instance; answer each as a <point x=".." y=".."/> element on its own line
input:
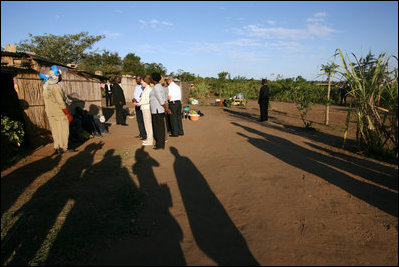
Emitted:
<point x="252" y="39"/>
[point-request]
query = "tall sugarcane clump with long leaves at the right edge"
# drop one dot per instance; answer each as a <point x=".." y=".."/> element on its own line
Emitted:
<point x="374" y="88"/>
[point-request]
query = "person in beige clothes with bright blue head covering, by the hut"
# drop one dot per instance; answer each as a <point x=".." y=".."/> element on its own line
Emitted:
<point x="55" y="107"/>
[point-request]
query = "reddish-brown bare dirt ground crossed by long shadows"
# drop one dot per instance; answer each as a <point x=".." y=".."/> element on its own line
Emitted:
<point x="231" y="191"/>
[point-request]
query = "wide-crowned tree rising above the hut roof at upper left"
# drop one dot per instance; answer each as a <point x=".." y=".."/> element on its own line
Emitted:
<point x="69" y="48"/>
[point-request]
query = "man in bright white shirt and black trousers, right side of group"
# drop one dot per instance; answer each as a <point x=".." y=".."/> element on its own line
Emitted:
<point x="174" y="97"/>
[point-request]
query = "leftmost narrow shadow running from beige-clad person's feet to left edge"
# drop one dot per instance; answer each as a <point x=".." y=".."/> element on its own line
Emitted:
<point x="14" y="183"/>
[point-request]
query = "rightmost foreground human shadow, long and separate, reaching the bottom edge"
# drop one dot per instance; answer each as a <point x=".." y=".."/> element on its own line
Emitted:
<point x="212" y="228"/>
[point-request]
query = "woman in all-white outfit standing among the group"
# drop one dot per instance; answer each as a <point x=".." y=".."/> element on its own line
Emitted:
<point x="145" y="108"/>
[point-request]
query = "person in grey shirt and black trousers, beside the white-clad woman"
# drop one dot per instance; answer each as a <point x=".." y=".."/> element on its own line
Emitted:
<point x="158" y="107"/>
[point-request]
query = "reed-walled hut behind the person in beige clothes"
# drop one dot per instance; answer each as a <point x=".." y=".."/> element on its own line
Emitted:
<point x="22" y="91"/>
